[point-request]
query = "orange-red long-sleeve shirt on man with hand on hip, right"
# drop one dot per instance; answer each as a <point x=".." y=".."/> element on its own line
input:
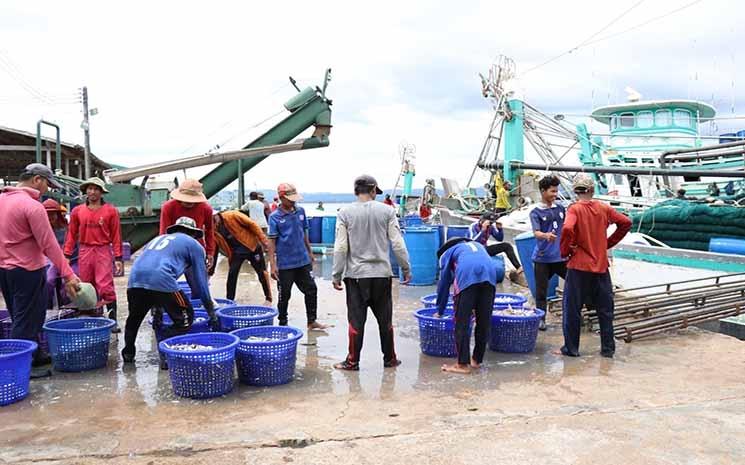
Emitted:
<point x="584" y="235"/>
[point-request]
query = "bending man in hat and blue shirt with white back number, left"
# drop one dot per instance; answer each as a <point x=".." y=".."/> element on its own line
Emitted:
<point x="152" y="284"/>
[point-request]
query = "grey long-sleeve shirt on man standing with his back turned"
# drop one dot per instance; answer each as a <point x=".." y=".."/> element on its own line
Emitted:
<point x="366" y="225"/>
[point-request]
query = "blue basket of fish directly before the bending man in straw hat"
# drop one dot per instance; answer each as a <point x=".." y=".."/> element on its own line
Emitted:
<point x="201" y="374"/>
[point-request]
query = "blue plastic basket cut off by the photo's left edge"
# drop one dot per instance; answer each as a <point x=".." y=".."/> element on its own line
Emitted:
<point x="15" y="369"/>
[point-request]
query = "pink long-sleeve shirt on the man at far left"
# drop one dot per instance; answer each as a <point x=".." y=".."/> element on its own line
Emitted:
<point x="26" y="235"/>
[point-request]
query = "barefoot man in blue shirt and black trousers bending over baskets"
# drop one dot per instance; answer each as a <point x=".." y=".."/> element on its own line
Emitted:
<point x="467" y="264"/>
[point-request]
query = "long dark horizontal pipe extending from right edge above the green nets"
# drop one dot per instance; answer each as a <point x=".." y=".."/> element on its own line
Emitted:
<point x="518" y="165"/>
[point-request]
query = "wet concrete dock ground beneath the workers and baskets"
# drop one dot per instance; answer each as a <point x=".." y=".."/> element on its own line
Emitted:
<point x="666" y="400"/>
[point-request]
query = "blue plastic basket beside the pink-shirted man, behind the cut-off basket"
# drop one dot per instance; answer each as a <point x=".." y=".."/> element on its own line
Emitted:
<point x="79" y="344"/>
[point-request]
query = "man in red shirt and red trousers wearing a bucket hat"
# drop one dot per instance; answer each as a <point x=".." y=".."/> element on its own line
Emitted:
<point x="96" y="231"/>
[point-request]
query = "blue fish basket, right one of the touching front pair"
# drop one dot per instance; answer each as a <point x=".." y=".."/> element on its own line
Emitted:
<point x="267" y="363"/>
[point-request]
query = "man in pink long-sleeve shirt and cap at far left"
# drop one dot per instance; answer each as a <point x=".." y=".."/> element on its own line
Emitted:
<point x="26" y="238"/>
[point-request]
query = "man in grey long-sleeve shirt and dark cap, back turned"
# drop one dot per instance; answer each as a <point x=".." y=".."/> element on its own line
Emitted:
<point x="364" y="232"/>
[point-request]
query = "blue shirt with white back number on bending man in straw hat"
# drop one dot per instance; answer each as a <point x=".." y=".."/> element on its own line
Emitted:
<point x="164" y="260"/>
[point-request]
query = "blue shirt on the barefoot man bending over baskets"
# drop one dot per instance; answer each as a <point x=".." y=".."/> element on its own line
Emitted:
<point x="462" y="266"/>
